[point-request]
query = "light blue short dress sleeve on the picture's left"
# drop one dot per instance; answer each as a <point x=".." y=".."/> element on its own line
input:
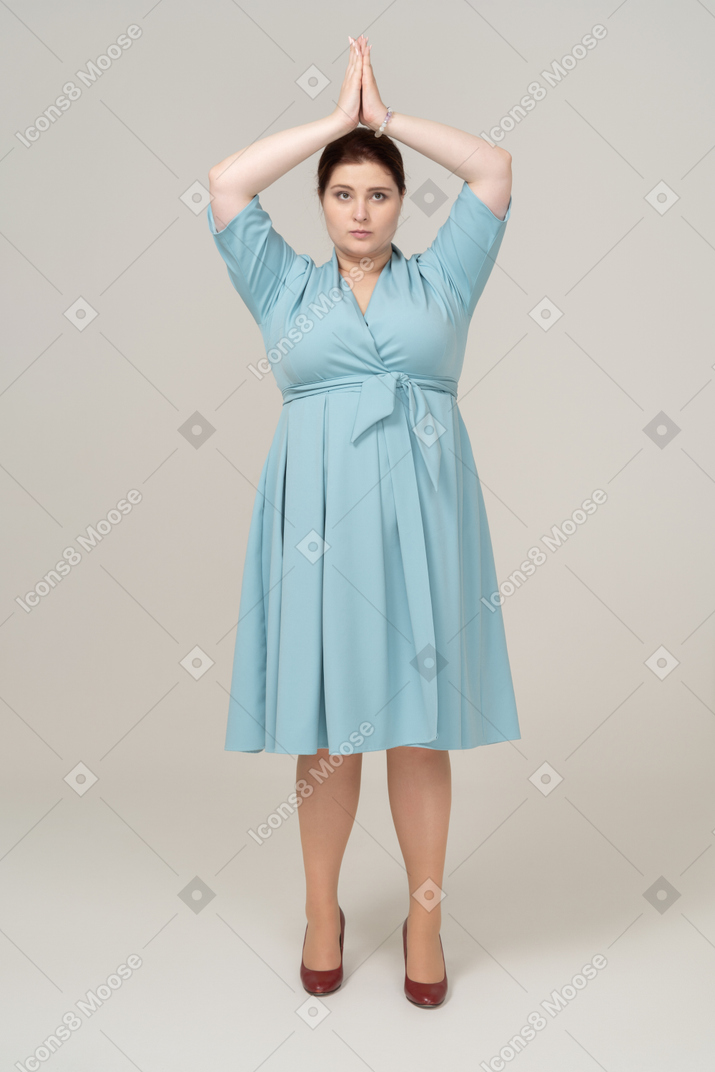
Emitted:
<point x="259" y="260"/>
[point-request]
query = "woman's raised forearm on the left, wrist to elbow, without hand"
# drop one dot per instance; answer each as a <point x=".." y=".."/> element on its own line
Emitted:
<point x="251" y="170"/>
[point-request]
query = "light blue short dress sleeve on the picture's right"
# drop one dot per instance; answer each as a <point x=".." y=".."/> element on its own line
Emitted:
<point x="466" y="247"/>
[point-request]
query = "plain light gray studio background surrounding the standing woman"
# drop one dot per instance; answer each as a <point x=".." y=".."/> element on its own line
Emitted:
<point x="110" y="206"/>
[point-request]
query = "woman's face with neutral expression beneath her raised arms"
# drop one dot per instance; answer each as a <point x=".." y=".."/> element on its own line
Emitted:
<point x="362" y="206"/>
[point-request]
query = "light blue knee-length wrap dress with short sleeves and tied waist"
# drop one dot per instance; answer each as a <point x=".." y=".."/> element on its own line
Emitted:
<point x="362" y="620"/>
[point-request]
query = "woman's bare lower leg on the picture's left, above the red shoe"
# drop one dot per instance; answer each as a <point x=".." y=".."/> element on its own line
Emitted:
<point x="326" y="821"/>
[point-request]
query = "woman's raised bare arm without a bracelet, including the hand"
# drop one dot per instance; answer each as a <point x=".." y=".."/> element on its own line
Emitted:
<point x="239" y="178"/>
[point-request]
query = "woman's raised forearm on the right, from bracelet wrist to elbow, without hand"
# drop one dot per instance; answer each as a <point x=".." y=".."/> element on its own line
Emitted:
<point x="465" y="155"/>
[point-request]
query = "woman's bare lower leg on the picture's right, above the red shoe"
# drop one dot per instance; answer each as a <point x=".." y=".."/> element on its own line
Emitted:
<point x="420" y="786"/>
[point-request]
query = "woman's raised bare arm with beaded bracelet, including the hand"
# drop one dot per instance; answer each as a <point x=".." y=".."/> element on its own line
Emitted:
<point x="487" y="169"/>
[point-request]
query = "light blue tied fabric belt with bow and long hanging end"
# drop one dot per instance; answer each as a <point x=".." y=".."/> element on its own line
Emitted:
<point x="378" y="399"/>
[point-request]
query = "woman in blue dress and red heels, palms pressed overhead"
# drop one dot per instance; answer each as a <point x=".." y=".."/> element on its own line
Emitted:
<point x="366" y="614"/>
